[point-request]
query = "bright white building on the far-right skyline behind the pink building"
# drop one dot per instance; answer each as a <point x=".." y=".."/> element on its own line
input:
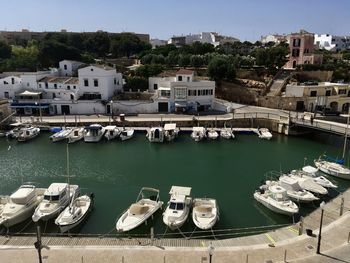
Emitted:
<point x="331" y="42"/>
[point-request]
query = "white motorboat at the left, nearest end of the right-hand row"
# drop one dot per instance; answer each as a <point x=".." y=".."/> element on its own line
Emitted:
<point x="275" y="198"/>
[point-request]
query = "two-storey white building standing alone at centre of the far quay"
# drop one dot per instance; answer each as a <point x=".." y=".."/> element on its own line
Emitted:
<point x="182" y="92"/>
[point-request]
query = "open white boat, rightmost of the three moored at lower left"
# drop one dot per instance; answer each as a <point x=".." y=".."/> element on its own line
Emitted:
<point x="75" y="213"/>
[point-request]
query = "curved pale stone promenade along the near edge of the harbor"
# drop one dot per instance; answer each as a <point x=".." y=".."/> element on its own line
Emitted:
<point x="287" y="244"/>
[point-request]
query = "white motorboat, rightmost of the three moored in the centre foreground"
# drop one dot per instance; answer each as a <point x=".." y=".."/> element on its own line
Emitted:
<point x="205" y="213"/>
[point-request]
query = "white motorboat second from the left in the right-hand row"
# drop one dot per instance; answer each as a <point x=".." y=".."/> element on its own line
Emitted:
<point x="294" y="191"/>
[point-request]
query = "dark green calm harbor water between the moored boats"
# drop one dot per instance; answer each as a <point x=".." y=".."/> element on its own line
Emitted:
<point x="115" y="171"/>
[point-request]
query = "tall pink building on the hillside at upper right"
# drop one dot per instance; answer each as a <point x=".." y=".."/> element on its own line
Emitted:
<point x="301" y="46"/>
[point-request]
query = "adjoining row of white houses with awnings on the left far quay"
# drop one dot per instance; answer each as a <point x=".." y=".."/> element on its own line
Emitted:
<point x="89" y="93"/>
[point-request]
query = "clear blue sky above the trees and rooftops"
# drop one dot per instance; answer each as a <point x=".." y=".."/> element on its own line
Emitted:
<point x="245" y="19"/>
